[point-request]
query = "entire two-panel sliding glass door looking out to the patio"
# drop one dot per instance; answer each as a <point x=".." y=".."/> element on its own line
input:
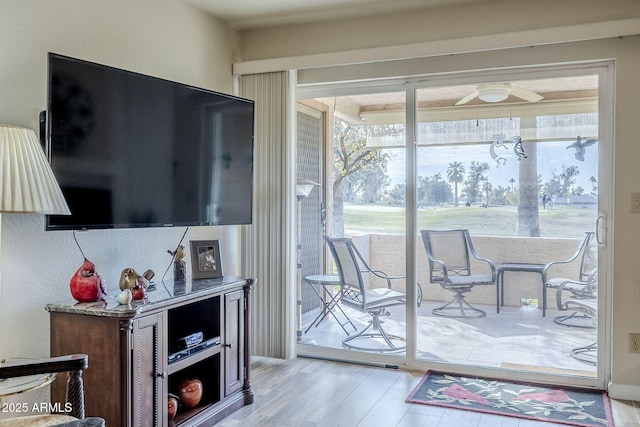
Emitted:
<point x="513" y="158"/>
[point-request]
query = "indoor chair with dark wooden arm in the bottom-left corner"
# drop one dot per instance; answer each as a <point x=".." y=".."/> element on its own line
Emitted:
<point x="24" y="375"/>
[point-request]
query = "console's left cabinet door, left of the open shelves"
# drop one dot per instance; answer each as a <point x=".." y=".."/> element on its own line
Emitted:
<point x="147" y="372"/>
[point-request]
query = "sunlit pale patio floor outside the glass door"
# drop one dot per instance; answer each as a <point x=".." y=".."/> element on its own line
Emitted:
<point x="516" y="338"/>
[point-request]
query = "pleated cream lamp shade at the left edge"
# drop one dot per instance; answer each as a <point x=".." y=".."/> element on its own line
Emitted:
<point x="27" y="183"/>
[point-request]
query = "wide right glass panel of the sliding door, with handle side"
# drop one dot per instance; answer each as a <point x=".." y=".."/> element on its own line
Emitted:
<point x="516" y="164"/>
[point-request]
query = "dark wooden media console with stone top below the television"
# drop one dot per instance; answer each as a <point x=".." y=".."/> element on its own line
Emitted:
<point x="140" y="353"/>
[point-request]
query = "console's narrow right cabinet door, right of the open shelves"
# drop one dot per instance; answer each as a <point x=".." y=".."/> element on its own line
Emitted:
<point x="234" y="304"/>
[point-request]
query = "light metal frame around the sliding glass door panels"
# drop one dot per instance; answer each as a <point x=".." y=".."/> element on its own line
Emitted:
<point x="605" y="71"/>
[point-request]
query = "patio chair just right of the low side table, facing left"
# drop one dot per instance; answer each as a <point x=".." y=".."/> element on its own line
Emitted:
<point x="583" y="286"/>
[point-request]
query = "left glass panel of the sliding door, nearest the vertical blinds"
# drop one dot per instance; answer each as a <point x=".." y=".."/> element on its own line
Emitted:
<point x="364" y="202"/>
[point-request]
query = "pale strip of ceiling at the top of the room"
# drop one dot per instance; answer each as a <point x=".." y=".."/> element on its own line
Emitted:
<point x="247" y="14"/>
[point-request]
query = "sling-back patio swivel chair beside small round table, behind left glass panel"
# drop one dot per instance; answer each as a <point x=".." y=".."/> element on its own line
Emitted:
<point x="374" y="301"/>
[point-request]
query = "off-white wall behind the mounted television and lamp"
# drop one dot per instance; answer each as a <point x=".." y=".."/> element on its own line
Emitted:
<point x="164" y="38"/>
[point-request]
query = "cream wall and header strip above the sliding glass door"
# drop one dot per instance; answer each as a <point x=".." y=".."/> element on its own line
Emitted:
<point x="447" y="31"/>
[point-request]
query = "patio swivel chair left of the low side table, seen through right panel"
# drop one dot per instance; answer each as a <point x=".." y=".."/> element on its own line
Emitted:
<point x="450" y="266"/>
